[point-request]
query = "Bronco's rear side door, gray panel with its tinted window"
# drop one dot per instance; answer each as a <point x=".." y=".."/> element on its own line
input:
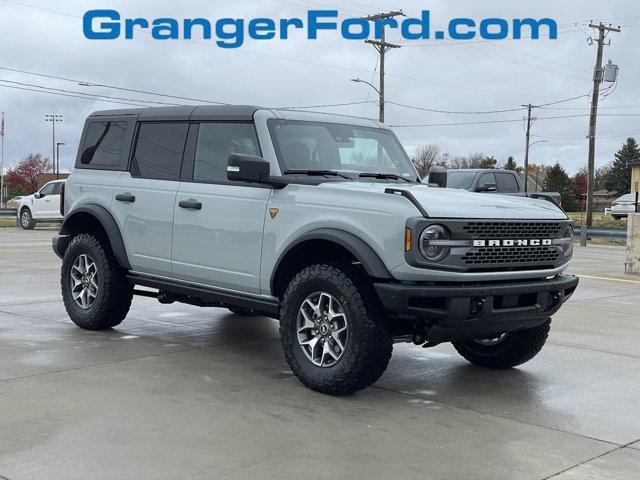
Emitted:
<point x="144" y="196"/>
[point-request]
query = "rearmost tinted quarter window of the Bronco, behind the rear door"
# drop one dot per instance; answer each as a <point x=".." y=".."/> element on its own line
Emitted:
<point x="103" y="143"/>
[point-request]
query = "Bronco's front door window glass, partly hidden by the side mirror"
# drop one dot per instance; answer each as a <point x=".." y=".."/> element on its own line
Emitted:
<point x="216" y="141"/>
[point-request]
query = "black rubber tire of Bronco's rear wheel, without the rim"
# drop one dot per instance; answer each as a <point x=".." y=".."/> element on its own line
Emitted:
<point x="115" y="293"/>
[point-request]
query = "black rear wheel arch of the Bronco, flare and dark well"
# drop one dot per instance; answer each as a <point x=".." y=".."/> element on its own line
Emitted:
<point x="91" y="217"/>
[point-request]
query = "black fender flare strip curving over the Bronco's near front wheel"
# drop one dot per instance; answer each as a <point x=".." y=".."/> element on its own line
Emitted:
<point x="361" y="250"/>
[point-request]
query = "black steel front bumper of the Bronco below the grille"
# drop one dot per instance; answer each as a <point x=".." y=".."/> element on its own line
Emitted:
<point x="460" y="311"/>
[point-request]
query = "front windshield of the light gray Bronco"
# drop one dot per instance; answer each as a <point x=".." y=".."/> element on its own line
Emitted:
<point x="340" y="148"/>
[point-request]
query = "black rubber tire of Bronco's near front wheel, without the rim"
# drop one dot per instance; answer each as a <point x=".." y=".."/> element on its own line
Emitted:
<point x="369" y="342"/>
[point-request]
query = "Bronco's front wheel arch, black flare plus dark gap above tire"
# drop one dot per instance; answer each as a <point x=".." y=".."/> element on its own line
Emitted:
<point x="325" y="244"/>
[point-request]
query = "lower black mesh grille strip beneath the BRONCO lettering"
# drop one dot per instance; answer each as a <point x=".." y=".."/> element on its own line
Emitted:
<point x="511" y="255"/>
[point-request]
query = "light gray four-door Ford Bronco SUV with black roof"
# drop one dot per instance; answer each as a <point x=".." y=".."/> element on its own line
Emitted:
<point x="317" y="220"/>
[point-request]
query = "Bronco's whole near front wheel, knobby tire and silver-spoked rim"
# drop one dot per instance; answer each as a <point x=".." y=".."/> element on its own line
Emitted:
<point x="334" y="332"/>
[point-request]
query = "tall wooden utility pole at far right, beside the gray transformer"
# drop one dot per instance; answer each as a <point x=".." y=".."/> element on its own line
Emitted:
<point x="597" y="79"/>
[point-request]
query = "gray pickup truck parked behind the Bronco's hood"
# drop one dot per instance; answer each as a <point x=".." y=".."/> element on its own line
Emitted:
<point x="493" y="180"/>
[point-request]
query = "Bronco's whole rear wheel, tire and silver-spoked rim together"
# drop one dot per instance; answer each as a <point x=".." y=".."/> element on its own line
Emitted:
<point x="95" y="289"/>
